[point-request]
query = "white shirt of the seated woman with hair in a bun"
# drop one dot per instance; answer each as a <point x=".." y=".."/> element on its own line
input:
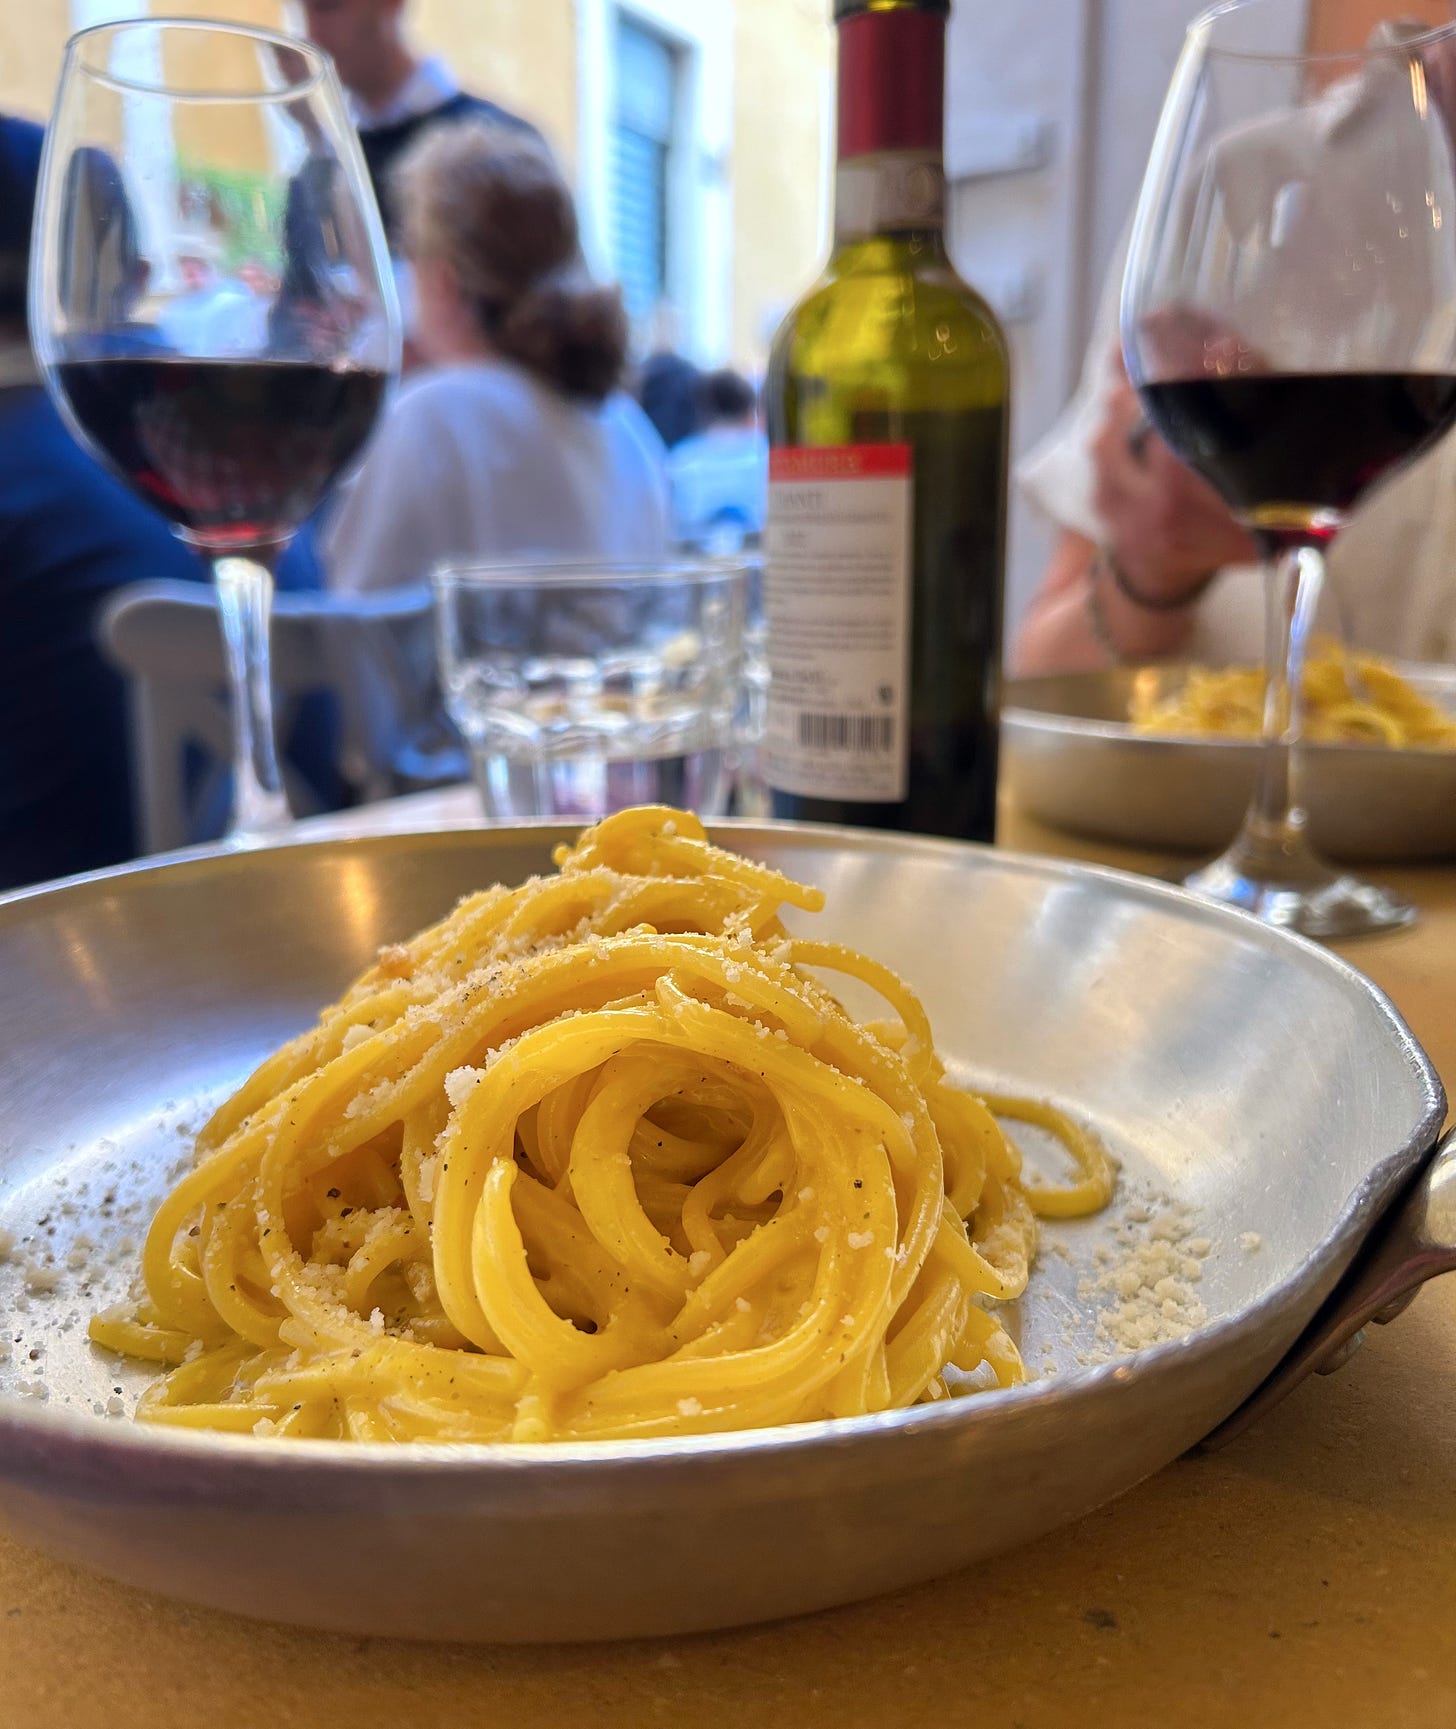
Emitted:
<point x="478" y="461"/>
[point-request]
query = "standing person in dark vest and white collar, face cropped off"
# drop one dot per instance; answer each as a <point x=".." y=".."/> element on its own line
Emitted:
<point x="393" y="94"/>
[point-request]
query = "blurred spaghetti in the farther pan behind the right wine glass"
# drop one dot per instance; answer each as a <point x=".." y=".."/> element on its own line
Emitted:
<point x="1348" y="699"/>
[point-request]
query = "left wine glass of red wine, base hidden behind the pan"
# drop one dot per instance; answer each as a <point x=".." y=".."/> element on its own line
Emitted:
<point x="214" y="309"/>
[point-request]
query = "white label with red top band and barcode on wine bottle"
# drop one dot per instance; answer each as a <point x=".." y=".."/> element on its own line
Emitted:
<point x="838" y="603"/>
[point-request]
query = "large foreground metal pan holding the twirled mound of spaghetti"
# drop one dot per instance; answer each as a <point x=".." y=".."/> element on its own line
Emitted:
<point x="525" y="1235"/>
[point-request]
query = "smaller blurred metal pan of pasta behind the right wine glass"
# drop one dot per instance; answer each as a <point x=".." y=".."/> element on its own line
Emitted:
<point x="1163" y="756"/>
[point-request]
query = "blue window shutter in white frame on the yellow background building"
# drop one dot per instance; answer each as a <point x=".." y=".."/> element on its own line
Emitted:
<point x="642" y="141"/>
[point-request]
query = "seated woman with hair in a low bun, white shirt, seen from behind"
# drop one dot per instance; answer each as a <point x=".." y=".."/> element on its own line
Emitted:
<point x="516" y="437"/>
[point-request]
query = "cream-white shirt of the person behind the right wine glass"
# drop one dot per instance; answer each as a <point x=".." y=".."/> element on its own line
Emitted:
<point x="1395" y="565"/>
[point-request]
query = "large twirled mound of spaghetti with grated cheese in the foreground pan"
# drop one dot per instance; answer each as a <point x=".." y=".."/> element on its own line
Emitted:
<point x="596" y="1158"/>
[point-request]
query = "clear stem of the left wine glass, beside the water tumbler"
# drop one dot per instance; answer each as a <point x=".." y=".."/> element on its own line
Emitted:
<point x="246" y="597"/>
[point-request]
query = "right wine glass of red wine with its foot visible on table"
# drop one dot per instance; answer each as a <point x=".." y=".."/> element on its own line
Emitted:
<point x="1289" y="319"/>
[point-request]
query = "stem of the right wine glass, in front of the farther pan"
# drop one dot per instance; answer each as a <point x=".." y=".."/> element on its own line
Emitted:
<point x="1275" y="829"/>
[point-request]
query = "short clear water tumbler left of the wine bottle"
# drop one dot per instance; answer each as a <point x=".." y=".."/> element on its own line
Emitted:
<point x="589" y="687"/>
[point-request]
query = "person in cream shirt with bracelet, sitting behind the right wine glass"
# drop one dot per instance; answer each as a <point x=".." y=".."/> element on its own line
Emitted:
<point x="1149" y="559"/>
